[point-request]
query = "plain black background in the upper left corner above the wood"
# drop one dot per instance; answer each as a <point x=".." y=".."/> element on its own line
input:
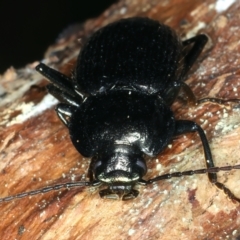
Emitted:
<point x="28" y="27"/>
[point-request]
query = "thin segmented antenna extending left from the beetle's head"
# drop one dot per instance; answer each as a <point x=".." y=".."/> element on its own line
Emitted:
<point x="48" y="189"/>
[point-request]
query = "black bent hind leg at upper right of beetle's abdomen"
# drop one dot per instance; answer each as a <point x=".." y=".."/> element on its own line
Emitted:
<point x="198" y="42"/>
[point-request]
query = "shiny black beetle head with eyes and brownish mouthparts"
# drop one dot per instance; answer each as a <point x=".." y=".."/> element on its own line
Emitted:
<point x="120" y="169"/>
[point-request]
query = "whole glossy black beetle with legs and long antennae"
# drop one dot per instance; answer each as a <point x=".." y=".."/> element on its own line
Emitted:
<point x="117" y="106"/>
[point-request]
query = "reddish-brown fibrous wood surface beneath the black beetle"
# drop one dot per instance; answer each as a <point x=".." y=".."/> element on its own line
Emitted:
<point x="35" y="149"/>
